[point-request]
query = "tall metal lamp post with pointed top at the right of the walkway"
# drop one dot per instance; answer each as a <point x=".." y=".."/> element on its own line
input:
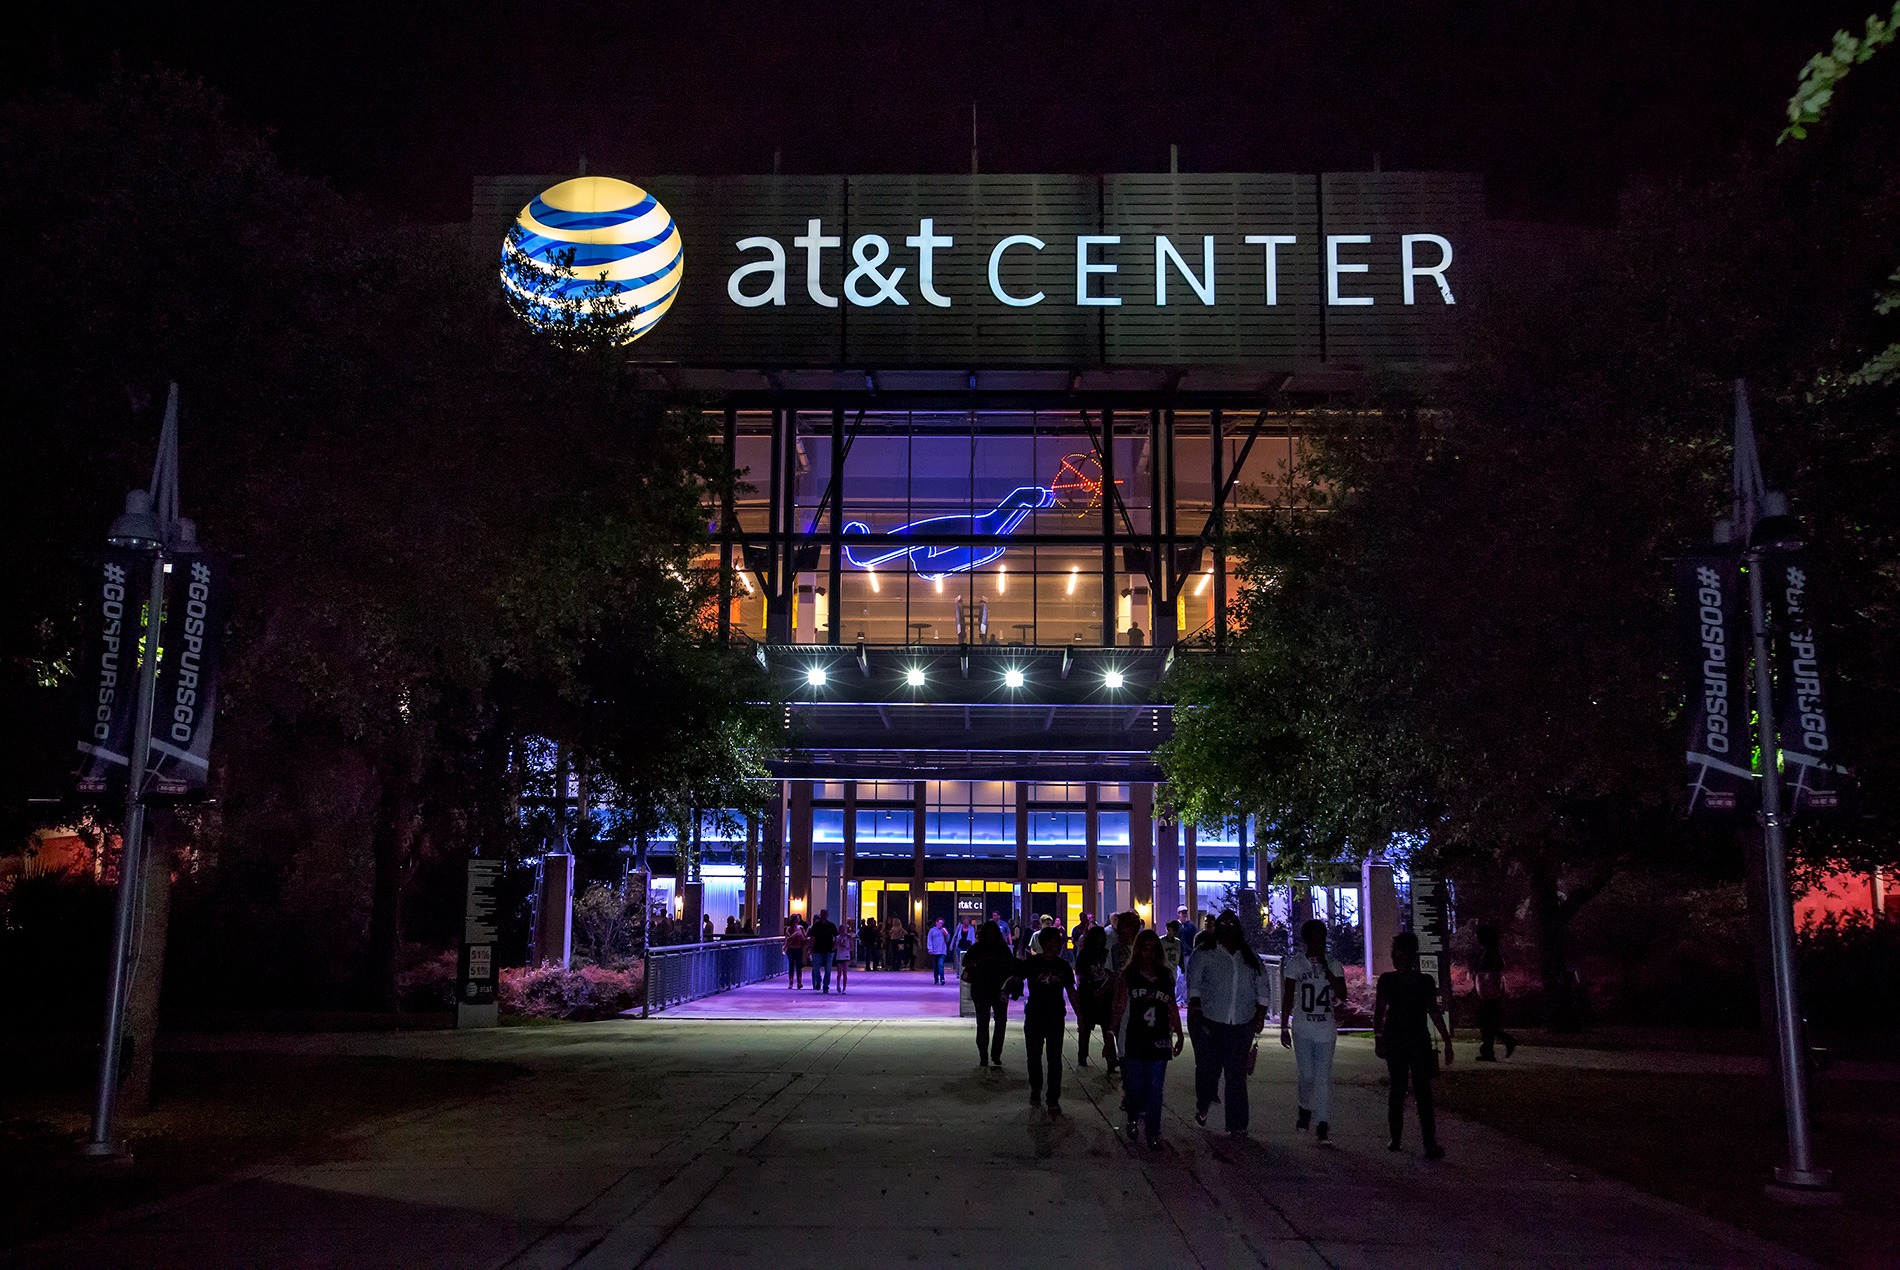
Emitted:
<point x="1764" y="528"/>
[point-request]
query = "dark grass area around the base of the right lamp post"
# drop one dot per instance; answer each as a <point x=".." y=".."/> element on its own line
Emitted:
<point x="1709" y="1144"/>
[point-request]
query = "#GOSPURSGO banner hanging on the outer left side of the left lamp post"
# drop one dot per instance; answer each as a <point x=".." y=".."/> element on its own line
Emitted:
<point x="109" y="678"/>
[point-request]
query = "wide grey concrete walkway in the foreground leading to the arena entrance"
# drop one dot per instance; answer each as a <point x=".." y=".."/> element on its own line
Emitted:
<point x="702" y="1144"/>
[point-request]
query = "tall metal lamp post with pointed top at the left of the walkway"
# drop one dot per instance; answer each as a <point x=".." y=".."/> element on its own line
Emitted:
<point x="161" y="533"/>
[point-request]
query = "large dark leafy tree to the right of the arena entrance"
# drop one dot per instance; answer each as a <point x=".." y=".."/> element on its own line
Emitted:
<point x="1468" y="636"/>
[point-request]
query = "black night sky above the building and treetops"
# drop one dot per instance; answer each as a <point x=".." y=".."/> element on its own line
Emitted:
<point x="404" y="104"/>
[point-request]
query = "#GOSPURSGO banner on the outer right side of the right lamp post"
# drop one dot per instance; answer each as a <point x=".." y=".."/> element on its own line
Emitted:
<point x="1810" y="771"/>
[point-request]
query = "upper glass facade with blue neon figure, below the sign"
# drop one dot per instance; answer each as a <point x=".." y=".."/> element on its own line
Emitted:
<point x="997" y="528"/>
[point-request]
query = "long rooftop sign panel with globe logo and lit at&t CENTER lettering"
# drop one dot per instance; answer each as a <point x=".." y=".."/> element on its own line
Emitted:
<point x="1029" y="271"/>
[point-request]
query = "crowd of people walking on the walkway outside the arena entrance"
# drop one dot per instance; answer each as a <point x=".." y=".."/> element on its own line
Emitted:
<point x="1147" y="997"/>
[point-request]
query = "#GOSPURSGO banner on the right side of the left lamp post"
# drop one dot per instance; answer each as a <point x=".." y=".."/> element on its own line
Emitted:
<point x="191" y="642"/>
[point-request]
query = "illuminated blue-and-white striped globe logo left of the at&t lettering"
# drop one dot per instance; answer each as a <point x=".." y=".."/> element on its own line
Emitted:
<point x="594" y="254"/>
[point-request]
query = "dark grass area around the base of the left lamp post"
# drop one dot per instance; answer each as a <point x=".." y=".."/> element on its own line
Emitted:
<point x="212" y="1115"/>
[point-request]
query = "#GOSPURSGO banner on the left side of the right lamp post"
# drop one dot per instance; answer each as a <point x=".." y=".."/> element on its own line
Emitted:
<point x="1711" y="615"/>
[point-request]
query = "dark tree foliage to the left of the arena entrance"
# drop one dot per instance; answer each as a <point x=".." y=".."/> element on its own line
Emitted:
<point x="451" y="533"/>
